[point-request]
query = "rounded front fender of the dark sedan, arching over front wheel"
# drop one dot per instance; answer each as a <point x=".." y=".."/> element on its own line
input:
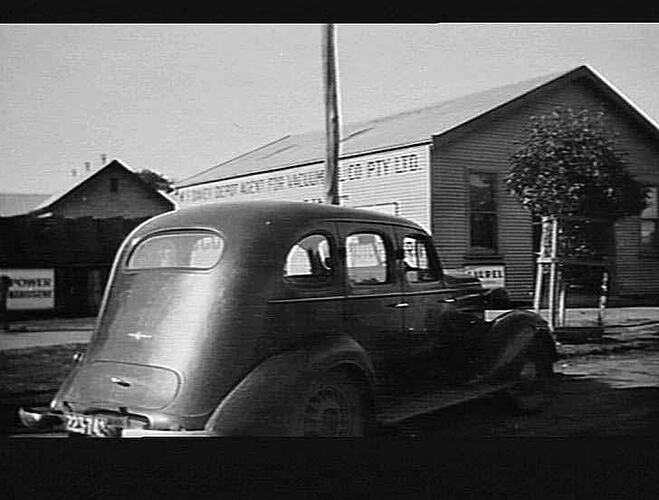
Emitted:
<point x="508" y="339"/>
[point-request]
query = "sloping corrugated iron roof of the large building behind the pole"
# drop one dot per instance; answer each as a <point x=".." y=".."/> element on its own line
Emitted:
<point x="402" y="129"/>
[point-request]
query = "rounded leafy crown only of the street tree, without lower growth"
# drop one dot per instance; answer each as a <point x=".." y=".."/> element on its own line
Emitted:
<point x="569" y="165"/>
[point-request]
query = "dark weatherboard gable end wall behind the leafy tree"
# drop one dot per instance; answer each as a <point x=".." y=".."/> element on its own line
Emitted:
<point x="487" y="145"/>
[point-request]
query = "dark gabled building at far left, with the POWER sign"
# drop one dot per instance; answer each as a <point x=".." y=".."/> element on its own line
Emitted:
<point x="58" y="249"/>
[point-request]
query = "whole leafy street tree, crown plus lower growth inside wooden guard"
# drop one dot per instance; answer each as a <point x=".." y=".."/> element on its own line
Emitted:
<point x="568" y="167"/>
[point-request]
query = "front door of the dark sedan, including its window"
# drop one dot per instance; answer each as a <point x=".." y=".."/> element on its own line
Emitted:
<point x="429" y="303"/>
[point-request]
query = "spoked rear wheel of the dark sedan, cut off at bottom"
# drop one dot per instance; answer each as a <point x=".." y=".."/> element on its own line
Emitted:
<point x="335" y="407"/>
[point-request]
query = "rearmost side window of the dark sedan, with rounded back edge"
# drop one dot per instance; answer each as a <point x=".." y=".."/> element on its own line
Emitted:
<point x="309" y="261"/>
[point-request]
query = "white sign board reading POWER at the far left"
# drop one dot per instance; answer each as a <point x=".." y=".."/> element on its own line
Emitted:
<point x="30" y="288"/>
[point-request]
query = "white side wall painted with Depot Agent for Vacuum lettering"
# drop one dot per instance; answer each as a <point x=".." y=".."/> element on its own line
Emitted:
<point x="396" y="181"/>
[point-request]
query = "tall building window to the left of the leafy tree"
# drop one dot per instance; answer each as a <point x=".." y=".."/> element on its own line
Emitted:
<point x="483" y="211"/>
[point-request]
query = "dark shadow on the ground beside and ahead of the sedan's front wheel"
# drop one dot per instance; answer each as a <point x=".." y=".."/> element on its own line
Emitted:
<point x="581" y="407"/>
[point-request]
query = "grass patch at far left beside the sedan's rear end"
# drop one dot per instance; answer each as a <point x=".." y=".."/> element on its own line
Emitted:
<point x="36" y="369"/>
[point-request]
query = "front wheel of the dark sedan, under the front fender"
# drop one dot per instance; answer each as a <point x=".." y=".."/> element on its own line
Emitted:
<point x="534" y="387"/>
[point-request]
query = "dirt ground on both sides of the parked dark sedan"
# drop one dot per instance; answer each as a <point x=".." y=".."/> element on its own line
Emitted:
<point x="606" y="395"/>
